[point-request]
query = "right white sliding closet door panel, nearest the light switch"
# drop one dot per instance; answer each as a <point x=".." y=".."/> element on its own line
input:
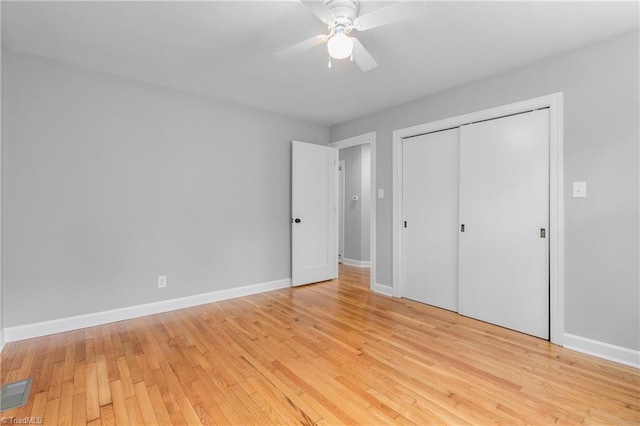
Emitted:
<point x="504" y="205"/>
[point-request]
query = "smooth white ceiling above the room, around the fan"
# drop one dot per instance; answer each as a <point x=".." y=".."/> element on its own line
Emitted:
<point x="225" y="49"/>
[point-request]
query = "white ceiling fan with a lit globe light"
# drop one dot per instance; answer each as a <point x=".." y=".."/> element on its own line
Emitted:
<point x="342" y="19"/>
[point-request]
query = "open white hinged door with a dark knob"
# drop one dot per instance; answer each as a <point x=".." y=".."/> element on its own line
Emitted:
<point x="314" y="224"/>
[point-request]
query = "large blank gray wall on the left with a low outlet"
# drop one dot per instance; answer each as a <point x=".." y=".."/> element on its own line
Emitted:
<point x="109" y="183"/>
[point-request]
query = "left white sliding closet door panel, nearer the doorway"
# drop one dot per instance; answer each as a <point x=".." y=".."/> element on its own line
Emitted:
<point x="430" y="208"/>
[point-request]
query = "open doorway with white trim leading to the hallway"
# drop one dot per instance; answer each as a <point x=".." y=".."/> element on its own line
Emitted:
<point x="356" y="203"/>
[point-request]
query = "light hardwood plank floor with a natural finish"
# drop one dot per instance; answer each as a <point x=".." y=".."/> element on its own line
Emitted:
<point x="328" y="353"/>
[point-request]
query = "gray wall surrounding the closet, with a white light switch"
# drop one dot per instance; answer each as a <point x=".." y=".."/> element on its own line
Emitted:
<point x="600" y="85"/>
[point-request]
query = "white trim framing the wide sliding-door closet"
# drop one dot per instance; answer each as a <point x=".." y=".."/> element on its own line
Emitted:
<point x="554" y="102"/>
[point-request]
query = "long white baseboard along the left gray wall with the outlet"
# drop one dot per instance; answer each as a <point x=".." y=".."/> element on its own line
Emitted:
<point x="28" y="331"/>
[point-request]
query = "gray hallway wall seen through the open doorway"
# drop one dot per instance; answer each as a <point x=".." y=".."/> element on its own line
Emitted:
<point x="357" y="214"/>
